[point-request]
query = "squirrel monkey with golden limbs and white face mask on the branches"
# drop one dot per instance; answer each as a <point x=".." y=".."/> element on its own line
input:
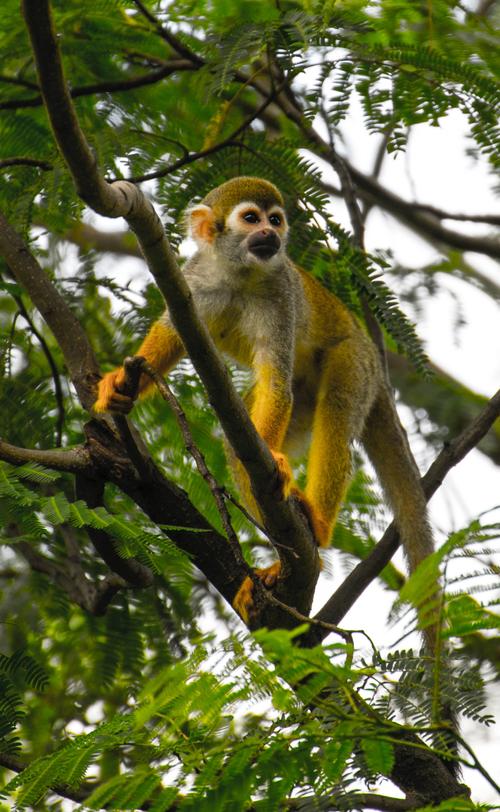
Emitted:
<point x="317" y="376"/>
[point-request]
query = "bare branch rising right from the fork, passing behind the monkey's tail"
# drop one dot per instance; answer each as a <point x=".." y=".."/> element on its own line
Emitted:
<point x="364" y="573"/>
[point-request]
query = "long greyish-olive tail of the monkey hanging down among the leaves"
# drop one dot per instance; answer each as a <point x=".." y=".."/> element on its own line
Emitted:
<point x="387" y="446"/>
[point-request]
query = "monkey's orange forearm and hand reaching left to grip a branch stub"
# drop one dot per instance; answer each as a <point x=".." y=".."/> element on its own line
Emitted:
<point x="162" y="348"/>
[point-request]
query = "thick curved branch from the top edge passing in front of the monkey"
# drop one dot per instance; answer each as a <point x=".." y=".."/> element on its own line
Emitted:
<point x="283" y="519"/>
